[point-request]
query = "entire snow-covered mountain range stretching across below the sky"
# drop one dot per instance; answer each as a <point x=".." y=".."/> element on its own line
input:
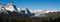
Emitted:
<point x="11" y="10"/>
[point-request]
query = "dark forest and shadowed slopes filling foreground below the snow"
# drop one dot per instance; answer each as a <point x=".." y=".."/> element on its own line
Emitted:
<point x="17" y="17"/>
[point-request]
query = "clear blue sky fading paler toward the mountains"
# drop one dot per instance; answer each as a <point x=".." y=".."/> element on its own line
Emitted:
<point x="34" y="4"/>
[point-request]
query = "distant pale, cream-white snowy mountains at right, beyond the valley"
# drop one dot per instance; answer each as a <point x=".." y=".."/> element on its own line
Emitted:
<point x="42" y="12"/>
